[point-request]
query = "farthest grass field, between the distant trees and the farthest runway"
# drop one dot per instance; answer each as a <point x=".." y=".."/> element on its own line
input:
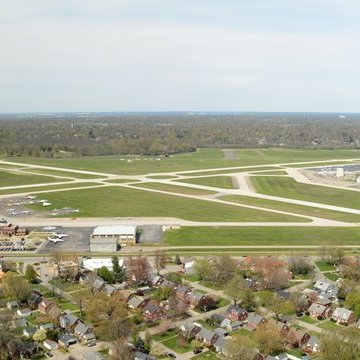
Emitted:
<point x="203" y="159"/>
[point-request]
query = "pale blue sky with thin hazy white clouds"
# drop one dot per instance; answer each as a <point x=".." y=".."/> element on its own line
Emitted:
<point x="179" y="55"/>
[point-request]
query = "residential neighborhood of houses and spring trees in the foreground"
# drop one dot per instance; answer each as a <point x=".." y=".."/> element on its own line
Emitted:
<point x="139" y="307"/>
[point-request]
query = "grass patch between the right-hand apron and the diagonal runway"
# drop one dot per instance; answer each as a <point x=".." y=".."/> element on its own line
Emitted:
<point x="289" y="188"/>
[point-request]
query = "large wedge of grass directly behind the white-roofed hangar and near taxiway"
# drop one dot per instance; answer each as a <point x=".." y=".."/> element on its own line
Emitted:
<point x="125" y="202"/>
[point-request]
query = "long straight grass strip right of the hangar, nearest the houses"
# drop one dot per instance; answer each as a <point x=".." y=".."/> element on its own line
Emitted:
<point x="263" y="236"/>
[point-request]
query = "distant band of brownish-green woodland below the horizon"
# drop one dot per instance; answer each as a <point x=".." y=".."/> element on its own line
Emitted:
<point x="163" y="134"/>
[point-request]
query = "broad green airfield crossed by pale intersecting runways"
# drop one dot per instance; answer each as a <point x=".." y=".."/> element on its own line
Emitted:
<point x="256" y="198"/>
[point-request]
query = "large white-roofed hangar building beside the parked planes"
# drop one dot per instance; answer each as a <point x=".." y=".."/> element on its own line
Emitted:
<point x="109" y="238"/>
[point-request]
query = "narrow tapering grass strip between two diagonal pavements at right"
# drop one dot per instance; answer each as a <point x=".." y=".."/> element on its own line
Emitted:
<point x="293" y="208"/>
